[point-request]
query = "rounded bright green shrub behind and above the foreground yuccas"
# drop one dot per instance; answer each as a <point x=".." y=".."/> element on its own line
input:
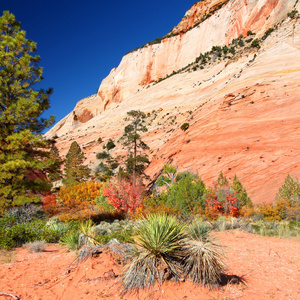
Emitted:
<point x="186" y="194"/>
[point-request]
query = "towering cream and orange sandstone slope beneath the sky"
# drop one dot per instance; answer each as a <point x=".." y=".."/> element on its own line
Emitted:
<point x="243" y="111"/>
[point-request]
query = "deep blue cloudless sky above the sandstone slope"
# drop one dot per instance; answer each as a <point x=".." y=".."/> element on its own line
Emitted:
<point x="81" y="41"/>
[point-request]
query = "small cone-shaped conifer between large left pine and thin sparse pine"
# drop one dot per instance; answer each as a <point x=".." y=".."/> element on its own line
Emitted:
<point x="75" y="171"/>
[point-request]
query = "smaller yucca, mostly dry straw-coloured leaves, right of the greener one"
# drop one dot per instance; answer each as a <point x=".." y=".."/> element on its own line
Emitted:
<point x="203" y="263"/>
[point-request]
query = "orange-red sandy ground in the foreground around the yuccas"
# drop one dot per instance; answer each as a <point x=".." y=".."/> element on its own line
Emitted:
<point x="270" y="266"/>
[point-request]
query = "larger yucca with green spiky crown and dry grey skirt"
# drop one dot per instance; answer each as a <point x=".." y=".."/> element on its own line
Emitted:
<point x="158" y="255"/>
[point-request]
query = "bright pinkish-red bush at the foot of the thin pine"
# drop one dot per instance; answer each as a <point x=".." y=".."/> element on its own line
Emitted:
<point x="124" y="195"/>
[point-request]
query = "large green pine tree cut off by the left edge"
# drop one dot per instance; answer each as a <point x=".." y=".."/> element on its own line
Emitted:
<point x="24" y="157"/>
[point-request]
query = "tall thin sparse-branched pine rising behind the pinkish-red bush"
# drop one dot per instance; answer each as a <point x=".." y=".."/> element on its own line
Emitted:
<point x="135" y="163"/>
